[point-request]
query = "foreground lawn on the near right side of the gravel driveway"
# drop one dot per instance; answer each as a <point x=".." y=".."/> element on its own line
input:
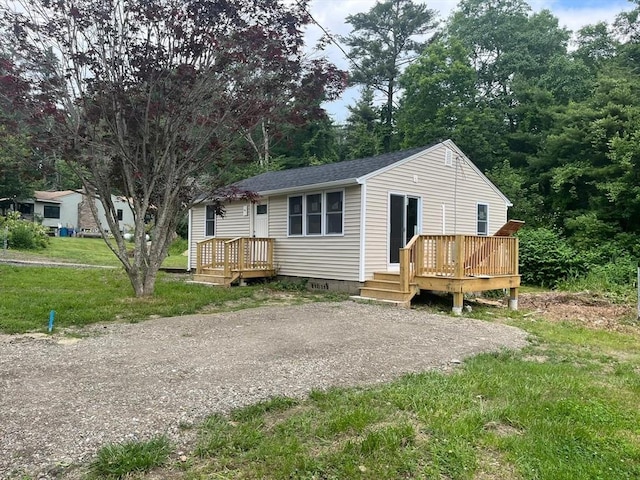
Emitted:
<point x="564" y="407"/>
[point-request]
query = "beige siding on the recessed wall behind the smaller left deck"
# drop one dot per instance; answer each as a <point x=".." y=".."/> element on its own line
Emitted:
<point x="233" y="224"/>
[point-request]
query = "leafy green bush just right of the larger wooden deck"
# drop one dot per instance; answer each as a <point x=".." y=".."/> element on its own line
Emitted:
<point x="546" y="259"/>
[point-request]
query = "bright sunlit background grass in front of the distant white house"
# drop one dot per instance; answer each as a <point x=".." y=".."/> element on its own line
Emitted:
<point x="90" y="251"/>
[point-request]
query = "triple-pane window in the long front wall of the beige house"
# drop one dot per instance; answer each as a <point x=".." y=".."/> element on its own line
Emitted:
<point x="316" y="214"/>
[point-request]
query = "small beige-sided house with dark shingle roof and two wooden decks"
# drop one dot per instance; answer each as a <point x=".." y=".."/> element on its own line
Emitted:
<point x="361" y="225"/>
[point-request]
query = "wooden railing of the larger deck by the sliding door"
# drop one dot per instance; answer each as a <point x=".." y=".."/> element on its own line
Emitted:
<point x="457" y="256"/>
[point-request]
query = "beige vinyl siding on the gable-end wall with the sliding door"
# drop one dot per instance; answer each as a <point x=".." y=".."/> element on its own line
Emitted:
<point x="458" y="187"/>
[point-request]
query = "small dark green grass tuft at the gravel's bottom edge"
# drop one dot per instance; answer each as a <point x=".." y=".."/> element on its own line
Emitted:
<point x="117" y="461"/>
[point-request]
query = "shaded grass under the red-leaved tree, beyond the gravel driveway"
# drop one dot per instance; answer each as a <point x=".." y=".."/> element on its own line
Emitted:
<point x="30" y="293"/>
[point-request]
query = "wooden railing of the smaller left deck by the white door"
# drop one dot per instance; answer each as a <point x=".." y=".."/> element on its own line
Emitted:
<point x="234" y="254"/>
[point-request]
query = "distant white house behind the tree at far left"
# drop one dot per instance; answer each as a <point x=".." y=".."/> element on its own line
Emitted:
<point x="68" y="211"/>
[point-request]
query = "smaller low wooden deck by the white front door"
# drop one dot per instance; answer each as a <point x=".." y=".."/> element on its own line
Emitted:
<point x="224" y="261"/>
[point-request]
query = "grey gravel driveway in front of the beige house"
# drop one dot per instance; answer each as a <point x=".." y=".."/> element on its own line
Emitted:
<point x="62" y="398"/>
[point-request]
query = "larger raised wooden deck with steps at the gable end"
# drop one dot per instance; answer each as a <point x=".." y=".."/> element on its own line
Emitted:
<point x="450" y="263"/>
